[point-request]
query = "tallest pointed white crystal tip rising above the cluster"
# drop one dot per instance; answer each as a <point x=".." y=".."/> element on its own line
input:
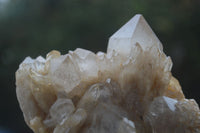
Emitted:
<point x="135" y="30"/>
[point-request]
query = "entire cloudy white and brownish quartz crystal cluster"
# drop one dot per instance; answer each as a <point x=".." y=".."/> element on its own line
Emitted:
<point x="128" y="90"/>
